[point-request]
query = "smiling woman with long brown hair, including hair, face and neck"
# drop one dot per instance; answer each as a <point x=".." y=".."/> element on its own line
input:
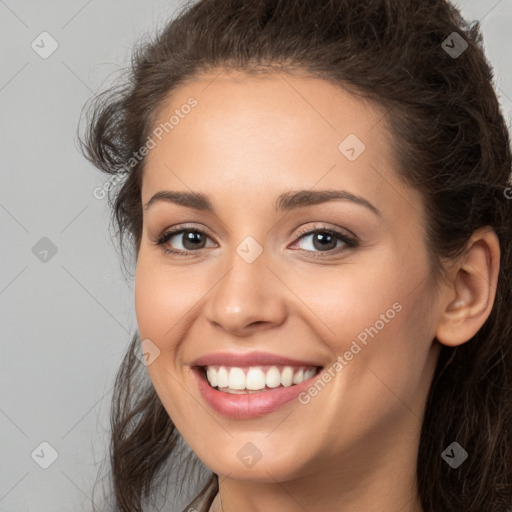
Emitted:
<point x="371" y="374"/>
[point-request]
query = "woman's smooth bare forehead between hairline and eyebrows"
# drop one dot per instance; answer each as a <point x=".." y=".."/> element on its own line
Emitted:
<point x="249" y="137"/>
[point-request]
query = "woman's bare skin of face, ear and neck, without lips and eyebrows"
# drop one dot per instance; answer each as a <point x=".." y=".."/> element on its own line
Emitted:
<point x="354" y="445"/>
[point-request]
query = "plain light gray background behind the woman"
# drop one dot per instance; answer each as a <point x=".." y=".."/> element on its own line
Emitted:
<point x="67" y="317"/>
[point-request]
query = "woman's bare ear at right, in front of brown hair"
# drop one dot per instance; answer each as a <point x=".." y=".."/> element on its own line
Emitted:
<point x="471" y="289"/>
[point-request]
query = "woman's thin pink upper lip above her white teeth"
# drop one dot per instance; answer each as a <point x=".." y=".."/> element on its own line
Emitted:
<point x="249" y="359"/>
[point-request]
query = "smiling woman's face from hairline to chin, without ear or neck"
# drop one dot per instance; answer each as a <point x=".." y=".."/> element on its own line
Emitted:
<point x="355" y="297"/>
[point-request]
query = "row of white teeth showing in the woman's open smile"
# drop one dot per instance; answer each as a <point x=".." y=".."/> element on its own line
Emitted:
<point x="236" y="379"/>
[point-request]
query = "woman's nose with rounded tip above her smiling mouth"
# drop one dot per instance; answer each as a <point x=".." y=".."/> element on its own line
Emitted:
<point x="248" y="298"/>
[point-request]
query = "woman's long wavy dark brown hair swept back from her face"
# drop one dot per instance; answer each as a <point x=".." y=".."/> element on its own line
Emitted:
<point x="452" y="144"/>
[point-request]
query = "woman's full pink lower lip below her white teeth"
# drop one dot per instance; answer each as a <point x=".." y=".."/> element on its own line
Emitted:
<point x="246" y="406"/>
